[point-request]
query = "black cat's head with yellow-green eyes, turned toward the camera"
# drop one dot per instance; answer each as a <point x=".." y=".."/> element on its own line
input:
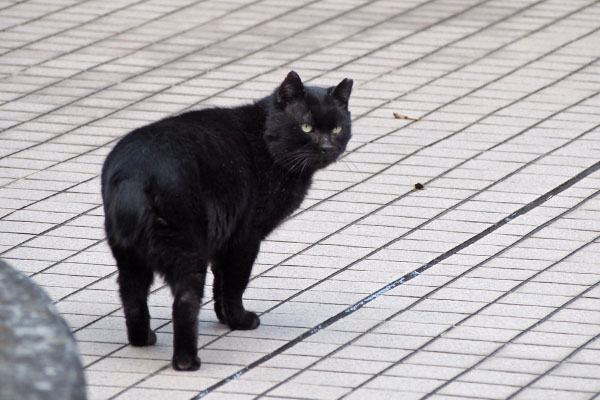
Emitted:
<point x="308" y="127"/>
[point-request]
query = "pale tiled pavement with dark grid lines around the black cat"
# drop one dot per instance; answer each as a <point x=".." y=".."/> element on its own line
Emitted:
<point x="484" y="285"/>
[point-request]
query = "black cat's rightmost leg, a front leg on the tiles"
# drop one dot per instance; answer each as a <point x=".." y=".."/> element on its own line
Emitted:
<point x="231" y="270"/>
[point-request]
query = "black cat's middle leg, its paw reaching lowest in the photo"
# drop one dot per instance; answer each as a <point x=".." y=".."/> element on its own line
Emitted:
<point x="188" y="291"/>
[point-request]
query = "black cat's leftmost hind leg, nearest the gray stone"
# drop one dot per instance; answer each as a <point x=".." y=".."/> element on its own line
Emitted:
<point x="134" y="286"/>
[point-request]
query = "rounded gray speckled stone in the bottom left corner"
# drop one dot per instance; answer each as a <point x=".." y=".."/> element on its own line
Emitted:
<point x="38" y="355"/>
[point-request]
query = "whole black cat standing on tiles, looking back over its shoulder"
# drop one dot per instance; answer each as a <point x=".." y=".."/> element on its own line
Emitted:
<point x="206" y="187"/>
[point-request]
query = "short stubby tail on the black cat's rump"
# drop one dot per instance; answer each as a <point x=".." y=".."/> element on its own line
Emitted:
<point x="126" y="209"/>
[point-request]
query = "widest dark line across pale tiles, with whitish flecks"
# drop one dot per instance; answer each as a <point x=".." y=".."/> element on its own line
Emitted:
<point x="407" y="277"/>
